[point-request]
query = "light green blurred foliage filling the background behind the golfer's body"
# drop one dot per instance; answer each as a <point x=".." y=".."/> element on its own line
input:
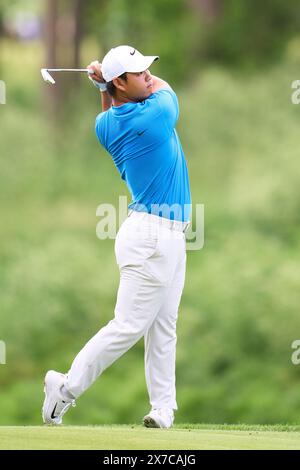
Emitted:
<point x="240" y="308"/>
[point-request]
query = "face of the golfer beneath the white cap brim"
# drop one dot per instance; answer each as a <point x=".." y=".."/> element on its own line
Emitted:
<point x="138" y="86"/>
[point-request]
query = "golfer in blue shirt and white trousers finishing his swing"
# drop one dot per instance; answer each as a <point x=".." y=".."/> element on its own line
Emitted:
<point x="137" y="128"/>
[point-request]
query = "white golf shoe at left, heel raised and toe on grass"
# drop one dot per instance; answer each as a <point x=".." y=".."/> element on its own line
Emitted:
<point x="55" y="403"/>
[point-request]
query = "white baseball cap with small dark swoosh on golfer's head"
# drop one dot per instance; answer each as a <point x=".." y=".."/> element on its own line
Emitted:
<point x="123" y="59"/>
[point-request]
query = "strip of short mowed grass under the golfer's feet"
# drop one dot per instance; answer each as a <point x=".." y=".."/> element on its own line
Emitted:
<point x="137" y="437"/>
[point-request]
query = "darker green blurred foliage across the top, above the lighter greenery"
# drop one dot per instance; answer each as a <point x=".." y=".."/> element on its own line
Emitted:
<point x="247" y="33"/>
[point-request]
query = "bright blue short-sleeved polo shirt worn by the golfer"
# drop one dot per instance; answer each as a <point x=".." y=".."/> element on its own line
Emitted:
<point x="145" y="147"/>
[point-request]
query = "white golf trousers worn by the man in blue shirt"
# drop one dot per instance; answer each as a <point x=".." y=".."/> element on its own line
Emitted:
<point x="151" y="256"/>
